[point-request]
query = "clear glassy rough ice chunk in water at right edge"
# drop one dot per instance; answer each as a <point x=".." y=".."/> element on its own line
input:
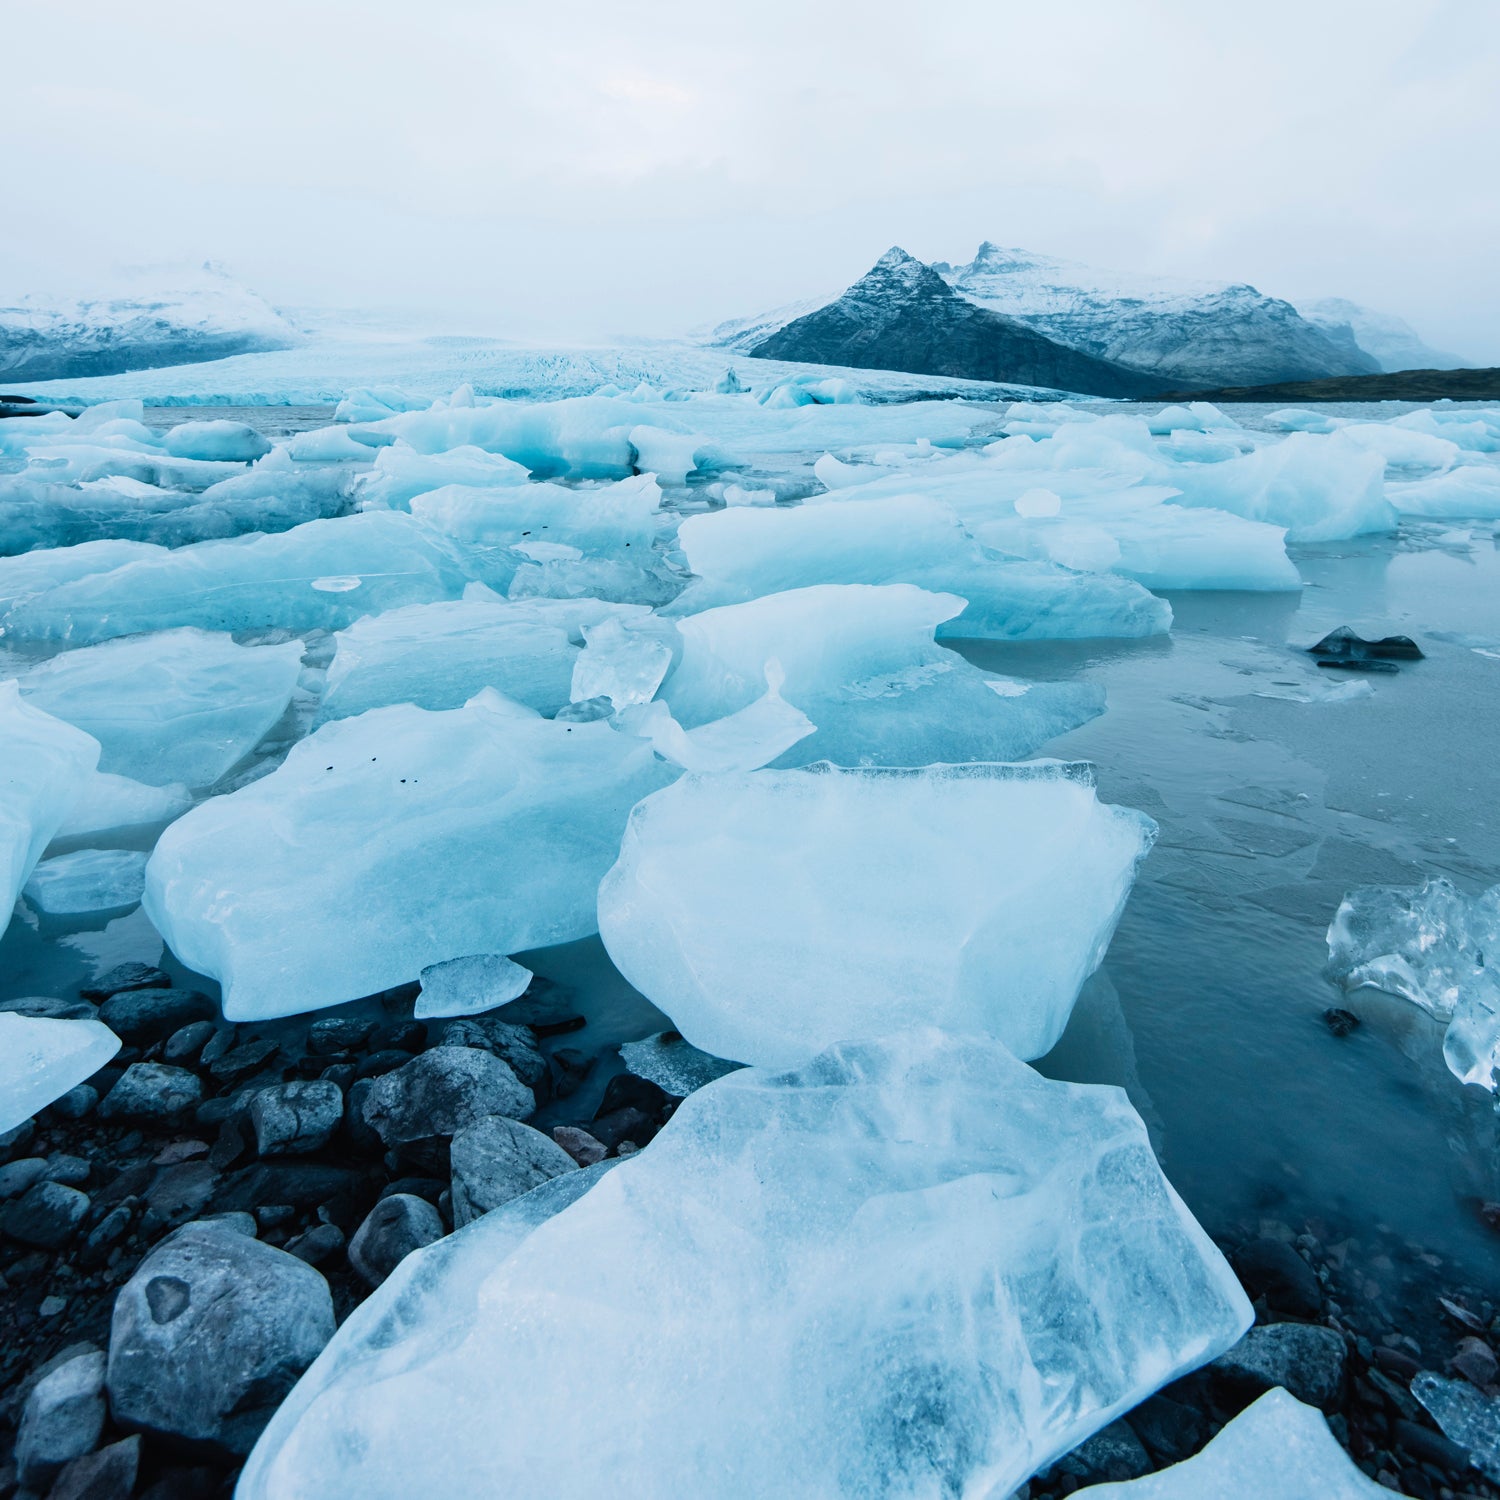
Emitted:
<point x="1429" y="946"/>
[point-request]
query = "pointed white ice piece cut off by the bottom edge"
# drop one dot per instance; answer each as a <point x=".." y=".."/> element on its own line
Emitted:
<point x="1277" y="1448"/>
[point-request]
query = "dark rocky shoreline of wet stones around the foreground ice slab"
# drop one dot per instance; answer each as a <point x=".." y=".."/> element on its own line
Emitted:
<point x="310" y="1160"/>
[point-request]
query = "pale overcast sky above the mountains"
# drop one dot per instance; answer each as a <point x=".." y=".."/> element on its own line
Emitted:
<point x="581" y="170"/>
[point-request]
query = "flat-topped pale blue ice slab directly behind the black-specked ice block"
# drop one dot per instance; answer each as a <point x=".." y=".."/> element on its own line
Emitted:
<point x="440" y="656"/>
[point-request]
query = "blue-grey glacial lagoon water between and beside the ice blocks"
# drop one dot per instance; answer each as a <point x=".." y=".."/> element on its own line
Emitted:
<point x="1210" y="1007"/>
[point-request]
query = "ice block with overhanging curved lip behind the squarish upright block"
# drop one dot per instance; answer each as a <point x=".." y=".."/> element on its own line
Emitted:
<point x="863" y="665"/>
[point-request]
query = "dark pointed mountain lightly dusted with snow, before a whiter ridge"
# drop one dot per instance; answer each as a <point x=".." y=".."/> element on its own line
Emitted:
<point x="902" y="316"/>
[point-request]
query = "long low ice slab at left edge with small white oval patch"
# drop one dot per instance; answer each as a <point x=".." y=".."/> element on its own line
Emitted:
<point x="322" y="575"/>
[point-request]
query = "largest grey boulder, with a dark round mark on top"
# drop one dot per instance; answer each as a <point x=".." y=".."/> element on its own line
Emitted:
<point x="211" y="1334"/>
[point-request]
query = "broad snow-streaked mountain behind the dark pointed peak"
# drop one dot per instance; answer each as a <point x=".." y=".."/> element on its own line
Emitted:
<point x="1195" y="334"/>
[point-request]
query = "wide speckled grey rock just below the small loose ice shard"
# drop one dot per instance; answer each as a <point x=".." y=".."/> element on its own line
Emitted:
<point x="443" y="1091"/>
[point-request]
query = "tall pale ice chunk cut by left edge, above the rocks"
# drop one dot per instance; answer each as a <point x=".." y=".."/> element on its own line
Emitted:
<point x="44" y="764"/>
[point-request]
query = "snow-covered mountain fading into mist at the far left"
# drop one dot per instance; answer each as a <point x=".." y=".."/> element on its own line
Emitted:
<point x="154" y="320"/>
